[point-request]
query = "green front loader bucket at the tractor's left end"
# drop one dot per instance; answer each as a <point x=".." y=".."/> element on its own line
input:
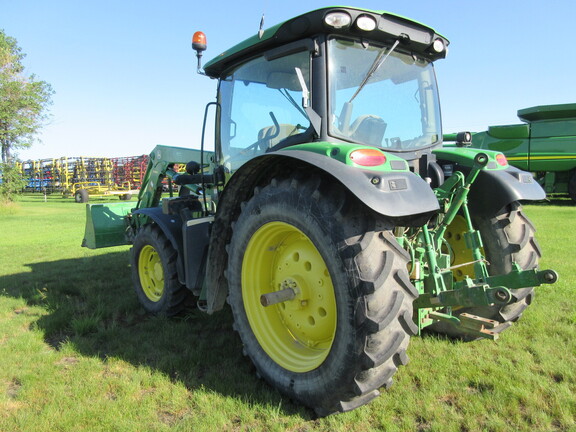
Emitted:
<point x="106" y="225"/>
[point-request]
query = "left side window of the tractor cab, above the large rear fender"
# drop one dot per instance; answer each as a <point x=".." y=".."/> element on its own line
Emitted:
<point x="261" y="106"/>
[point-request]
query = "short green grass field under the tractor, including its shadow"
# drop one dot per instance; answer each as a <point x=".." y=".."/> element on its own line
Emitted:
<point x="77" y="352"/>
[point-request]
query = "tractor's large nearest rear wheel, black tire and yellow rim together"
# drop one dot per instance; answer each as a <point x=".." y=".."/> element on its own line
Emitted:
<point x="345" y="332"/>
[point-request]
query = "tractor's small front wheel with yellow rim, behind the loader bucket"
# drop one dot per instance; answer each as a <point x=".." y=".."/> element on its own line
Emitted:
<point x="154" y="273"/>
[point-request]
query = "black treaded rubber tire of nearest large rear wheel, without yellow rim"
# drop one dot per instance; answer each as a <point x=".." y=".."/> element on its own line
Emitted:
<point x="383" y="313"/>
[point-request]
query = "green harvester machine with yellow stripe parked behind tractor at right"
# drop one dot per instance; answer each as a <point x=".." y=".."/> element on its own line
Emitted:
<point x="545" y="144"/>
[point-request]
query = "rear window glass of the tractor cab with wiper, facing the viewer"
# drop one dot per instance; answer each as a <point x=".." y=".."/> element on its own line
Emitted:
<point x="381" y="97"/>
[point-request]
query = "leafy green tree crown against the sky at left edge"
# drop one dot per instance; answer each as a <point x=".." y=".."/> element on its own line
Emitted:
<point x="23" y="100"/>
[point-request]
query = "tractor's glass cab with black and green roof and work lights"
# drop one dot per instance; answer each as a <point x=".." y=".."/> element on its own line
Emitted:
<point x="335" y="75"/>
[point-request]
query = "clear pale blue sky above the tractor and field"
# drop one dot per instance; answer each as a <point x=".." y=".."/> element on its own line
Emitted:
<point x="125" y="80"/>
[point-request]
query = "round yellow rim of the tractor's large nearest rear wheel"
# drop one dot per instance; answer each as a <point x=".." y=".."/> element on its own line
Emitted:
<point x="298" y="333"/>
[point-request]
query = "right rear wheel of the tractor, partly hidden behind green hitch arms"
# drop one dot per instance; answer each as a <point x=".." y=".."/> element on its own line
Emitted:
<point x="508" y="236"/>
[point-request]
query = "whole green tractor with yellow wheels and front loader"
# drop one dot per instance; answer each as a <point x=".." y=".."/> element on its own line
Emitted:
<point x="328" y="215"/>
